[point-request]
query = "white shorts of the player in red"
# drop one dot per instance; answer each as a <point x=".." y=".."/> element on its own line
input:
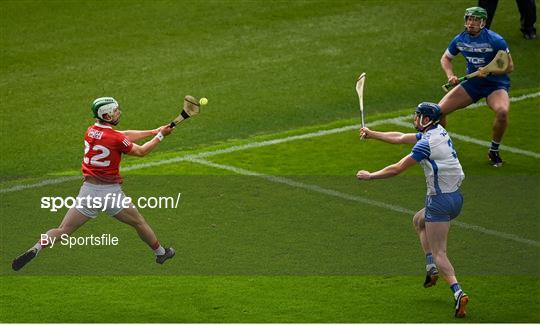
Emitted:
<point x="93" y="199"/>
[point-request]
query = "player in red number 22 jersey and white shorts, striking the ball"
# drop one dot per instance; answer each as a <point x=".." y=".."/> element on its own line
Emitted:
<point x="103" y="149"/>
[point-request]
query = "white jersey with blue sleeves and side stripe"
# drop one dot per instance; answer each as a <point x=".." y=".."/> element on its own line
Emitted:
<point x="437" y="155"/>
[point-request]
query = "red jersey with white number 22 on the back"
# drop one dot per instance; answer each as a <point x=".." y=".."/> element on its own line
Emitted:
<point x="103" y="149"/>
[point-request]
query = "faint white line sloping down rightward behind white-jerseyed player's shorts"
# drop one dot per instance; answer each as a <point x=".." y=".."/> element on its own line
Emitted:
<point x="349" y="197"/>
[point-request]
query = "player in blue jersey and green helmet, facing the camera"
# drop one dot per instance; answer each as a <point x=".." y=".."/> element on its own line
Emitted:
<point x="479" y="45"/>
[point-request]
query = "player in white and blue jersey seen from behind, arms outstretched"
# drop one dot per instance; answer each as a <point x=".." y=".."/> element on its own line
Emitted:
<point x="434" y="151"/>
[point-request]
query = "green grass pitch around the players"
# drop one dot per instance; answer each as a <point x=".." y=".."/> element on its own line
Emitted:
<point x="272" y="224"/>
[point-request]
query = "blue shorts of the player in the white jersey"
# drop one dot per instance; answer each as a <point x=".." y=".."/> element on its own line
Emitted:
<point x="443" y="207"/>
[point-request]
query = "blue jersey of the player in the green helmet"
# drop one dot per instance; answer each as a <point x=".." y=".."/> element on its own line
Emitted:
<point x="479" y="51"/>
